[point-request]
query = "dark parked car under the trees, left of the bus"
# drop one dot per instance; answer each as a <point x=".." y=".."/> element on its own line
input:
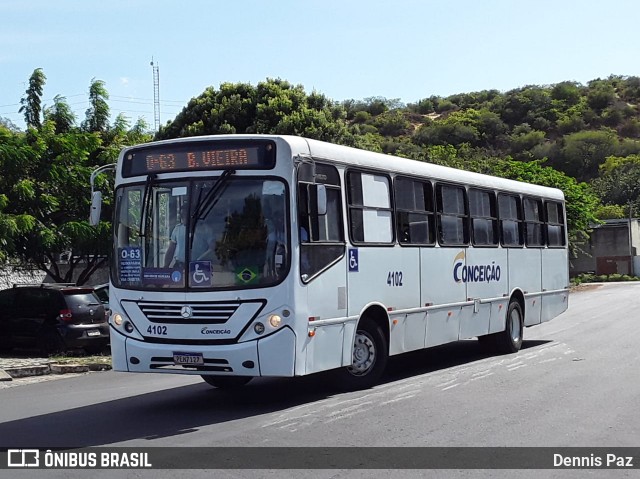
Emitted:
<point x="53" y="318"/>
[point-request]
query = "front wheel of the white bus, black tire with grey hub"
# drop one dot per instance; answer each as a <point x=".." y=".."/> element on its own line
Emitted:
<point x="370" y="356"/>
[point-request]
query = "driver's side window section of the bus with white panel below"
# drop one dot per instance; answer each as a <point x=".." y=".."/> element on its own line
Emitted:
<point x="322" y="267"/>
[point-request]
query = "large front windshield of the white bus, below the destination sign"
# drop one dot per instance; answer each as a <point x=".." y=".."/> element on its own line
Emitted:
<point x="214" y="233"/>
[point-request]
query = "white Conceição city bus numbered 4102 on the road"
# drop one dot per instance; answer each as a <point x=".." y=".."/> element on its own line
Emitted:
<point x="238" y="256"/>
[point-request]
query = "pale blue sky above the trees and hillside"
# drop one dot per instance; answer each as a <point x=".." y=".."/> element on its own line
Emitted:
<point x="344" y="49"/>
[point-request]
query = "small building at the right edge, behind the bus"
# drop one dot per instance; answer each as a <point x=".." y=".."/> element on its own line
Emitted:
<point x="612" y="249"/>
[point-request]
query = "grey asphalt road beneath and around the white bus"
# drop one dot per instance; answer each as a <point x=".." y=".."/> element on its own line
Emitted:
<point x="574" y="383"/>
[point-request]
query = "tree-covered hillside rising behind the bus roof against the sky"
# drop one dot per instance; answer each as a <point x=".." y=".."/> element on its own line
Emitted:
<point x="588" y="132"/>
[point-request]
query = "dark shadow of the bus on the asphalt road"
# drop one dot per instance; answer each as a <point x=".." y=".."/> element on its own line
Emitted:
<point x="183" y="410"/>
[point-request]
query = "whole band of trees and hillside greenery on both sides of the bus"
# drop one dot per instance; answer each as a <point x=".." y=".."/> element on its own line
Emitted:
<point x="584" y="139"/>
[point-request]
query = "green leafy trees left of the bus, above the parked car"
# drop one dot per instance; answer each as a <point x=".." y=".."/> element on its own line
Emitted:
<point x="44" y="188"/>
